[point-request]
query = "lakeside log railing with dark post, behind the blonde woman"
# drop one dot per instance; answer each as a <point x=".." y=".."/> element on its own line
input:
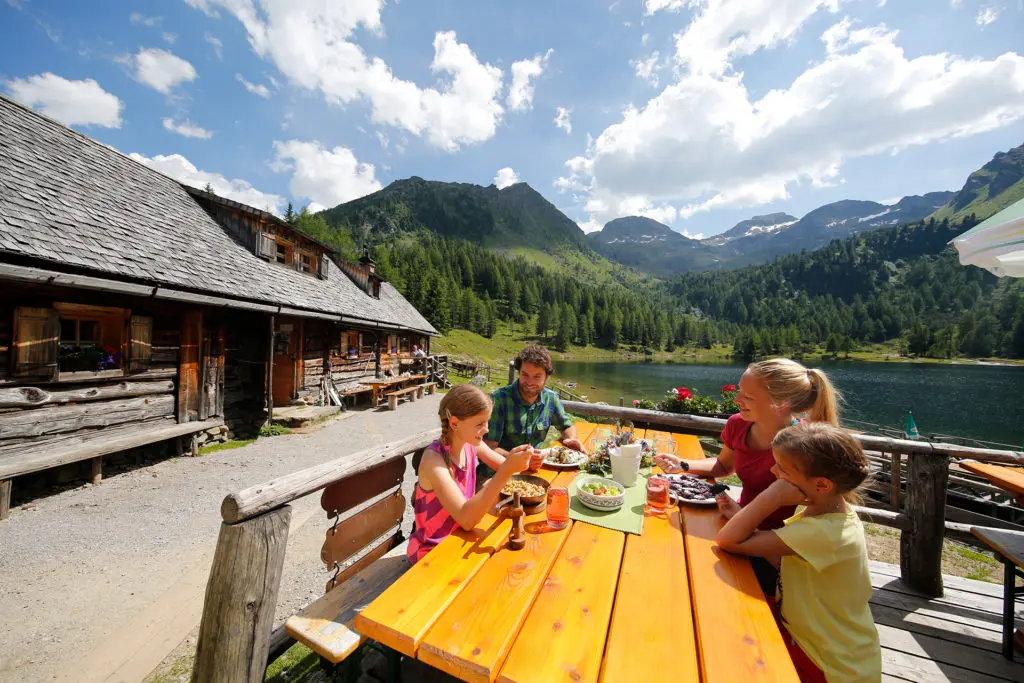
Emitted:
<point x="923" y="525"/>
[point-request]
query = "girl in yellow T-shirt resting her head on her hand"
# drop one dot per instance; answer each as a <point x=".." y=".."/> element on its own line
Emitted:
<point x="825" y="584"/>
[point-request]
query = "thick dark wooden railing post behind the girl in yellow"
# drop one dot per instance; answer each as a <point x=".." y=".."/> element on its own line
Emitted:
<point x="921" y="543"/>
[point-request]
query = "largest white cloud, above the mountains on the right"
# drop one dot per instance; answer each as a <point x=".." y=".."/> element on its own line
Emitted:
<point x="865" y="98"/>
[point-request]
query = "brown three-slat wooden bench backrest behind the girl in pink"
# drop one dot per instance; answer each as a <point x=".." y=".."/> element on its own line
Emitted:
<point x="366" y="513"/>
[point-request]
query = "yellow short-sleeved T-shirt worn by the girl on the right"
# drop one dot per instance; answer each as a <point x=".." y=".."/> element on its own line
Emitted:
<point x="826" y="587"/>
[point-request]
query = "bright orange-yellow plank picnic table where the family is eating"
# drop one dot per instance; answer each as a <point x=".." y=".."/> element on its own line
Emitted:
<point x="586" y="604"/>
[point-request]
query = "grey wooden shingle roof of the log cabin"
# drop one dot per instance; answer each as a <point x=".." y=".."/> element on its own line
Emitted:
<point x="72" y="201"/>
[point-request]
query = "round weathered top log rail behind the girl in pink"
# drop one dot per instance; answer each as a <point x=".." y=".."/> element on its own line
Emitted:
<point x="254" y="501"/>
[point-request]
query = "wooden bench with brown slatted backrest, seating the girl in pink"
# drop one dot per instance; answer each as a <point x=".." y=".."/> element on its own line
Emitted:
<point x="365" y="549"/>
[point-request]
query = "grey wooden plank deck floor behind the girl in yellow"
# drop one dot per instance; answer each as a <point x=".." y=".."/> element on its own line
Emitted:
<point x="953" y="638"/>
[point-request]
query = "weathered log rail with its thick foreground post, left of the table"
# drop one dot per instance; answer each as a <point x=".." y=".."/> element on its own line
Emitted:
<point x="236" y="636"/>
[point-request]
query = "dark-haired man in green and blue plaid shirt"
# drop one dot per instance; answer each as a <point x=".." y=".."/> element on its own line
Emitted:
<point x="525" y="410"/>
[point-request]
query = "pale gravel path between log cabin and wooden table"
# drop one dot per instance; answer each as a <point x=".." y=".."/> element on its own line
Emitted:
<point x="102" y="583"/>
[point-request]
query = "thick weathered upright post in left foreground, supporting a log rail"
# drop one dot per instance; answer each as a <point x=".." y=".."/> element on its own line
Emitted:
<point x="241" y="597"/>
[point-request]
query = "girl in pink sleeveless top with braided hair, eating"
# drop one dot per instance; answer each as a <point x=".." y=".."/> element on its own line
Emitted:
<point x="446" y="494"/>
